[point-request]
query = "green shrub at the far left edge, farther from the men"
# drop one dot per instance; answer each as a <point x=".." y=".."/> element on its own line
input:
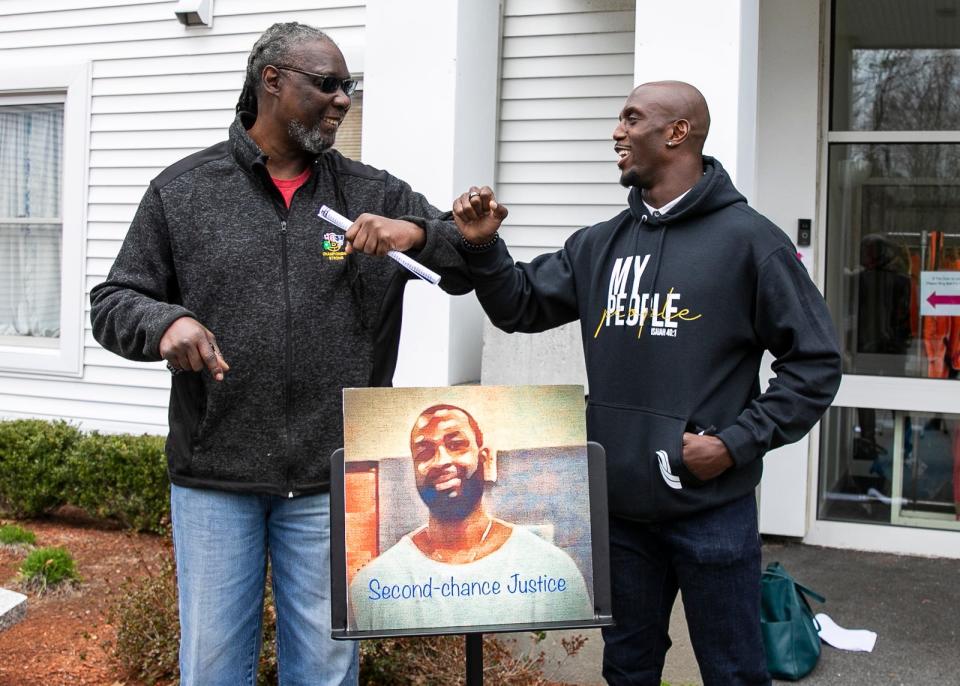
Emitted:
<point x="33" y="475"/>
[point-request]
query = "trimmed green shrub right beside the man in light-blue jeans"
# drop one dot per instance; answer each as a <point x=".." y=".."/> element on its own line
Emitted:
<point x="121" y="477"/>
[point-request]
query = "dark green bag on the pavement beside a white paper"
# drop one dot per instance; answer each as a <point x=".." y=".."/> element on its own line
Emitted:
<point x="786" y="620"/>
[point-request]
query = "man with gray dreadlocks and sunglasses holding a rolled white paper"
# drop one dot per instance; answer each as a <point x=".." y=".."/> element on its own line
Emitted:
<point x="226" y="259"/>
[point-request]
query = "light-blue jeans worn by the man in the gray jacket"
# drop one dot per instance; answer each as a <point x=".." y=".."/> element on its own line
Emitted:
<point x="221" y="541"/>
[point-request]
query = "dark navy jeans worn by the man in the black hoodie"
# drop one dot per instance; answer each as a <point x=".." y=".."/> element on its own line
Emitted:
<point x="713" y="558"/>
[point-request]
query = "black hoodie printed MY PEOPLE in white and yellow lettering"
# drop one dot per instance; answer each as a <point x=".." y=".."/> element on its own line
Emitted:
<point x="676" y="312"/>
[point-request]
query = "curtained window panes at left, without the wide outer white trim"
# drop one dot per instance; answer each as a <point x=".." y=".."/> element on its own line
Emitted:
<point x="31" y="154"/>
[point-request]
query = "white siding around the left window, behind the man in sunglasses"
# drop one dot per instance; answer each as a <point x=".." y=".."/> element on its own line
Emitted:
<point x="157" y="91"/>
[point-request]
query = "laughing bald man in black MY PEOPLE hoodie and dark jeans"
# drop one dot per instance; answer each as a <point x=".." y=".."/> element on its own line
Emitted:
<point x="678" y="297"/>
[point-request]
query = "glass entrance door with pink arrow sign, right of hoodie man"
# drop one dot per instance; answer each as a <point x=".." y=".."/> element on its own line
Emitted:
<point x="890" y="451"/>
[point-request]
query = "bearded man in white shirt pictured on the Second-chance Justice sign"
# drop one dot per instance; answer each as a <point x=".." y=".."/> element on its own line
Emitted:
<point x="464" y="567"/>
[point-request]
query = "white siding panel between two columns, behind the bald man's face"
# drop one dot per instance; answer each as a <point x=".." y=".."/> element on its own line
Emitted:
<point x="566" y="69"/>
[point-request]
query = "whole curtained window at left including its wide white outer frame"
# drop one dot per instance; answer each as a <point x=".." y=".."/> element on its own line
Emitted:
<point x="44" y="126"/>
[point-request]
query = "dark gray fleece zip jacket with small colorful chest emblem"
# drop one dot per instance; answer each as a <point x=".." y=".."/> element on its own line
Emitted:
<point x="295" y="319"/>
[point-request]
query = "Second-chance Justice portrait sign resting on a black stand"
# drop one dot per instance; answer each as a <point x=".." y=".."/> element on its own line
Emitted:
<point x="467" y="509"/>
